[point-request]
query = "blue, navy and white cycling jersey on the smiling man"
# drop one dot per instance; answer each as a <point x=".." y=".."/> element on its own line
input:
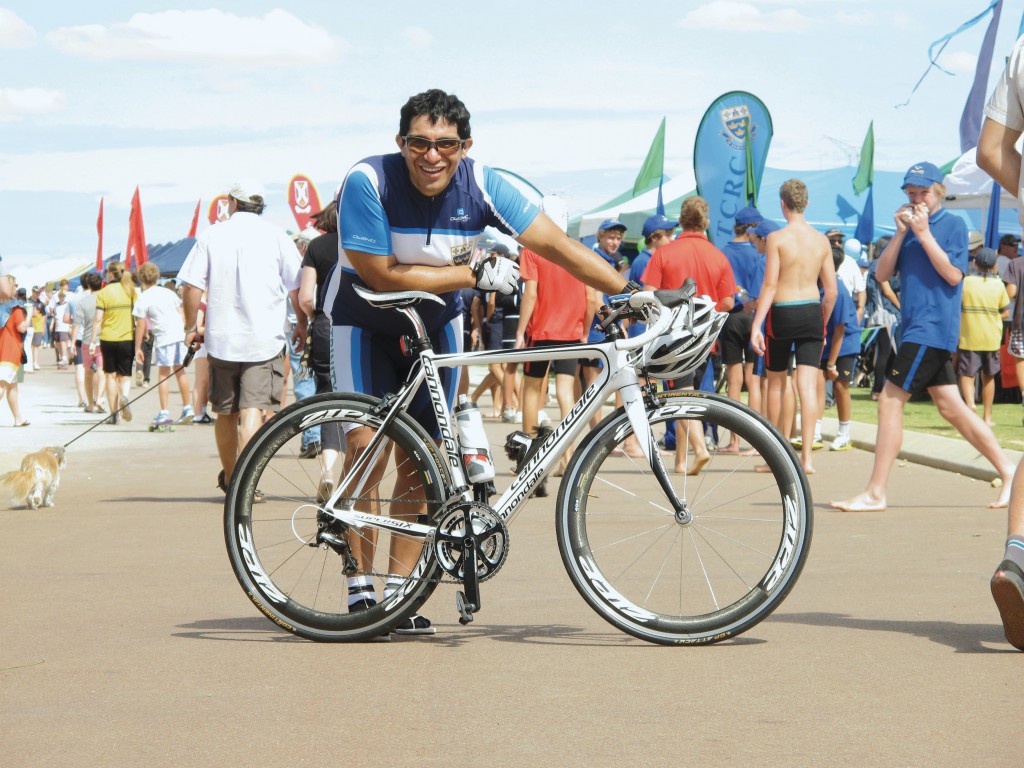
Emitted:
<point x="381" y="212"/>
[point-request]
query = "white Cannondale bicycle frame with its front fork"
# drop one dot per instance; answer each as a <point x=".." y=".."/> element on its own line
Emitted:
<point x="617" y="375"/>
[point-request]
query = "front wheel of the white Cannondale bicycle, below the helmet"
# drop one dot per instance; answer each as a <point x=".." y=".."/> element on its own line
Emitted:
<point x="686" y="584"/>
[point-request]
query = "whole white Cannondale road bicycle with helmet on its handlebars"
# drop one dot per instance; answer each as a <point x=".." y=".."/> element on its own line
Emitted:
<point x="666" y="558"/>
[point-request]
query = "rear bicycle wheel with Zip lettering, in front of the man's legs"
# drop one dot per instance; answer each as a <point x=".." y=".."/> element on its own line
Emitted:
<point x="301" y="588"/>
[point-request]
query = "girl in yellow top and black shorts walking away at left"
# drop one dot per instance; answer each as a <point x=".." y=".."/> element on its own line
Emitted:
<point x="113" y="332"/>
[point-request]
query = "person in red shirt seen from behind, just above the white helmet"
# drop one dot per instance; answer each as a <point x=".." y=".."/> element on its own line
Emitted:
<point x="693" y="255"/>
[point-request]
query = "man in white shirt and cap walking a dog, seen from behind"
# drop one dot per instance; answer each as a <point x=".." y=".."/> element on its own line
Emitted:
<point x="248" y="269"/>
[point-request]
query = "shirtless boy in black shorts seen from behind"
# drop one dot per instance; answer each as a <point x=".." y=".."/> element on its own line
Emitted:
<point x="798" y="258"/>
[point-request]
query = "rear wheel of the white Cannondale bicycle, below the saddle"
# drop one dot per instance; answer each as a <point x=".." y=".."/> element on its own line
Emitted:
<point x="290" y="556"/>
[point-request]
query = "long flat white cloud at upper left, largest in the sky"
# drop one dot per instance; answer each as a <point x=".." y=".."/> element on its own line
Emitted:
<point x="276" y="38"/>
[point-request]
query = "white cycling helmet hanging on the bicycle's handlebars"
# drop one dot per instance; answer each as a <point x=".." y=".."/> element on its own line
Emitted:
<point x="688" y="343"/>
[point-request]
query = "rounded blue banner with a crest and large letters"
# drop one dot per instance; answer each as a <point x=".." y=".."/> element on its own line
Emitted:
<point x="722" y="164"/>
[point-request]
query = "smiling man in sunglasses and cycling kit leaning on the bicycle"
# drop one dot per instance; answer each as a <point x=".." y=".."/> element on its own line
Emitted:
<point x="410" y="222"/>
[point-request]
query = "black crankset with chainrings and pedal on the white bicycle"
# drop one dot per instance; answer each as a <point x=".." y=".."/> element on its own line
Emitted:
<point x="472" y="544"/>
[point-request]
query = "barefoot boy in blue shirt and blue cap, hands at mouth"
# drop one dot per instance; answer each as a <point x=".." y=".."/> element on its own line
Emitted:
<point x="930" y="252"/>
